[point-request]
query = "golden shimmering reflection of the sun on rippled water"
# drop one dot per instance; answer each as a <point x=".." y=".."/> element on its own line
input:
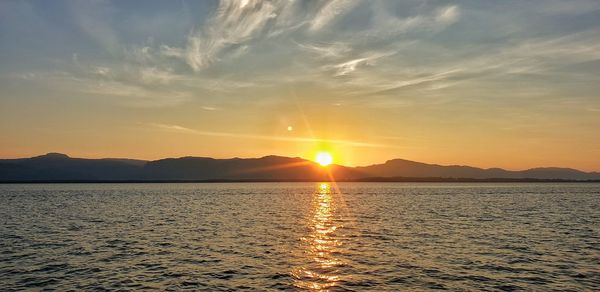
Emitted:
<point x="322" y="244"/>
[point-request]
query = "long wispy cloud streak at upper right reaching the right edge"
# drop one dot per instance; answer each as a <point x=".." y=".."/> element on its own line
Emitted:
<point x="482" y="68"/>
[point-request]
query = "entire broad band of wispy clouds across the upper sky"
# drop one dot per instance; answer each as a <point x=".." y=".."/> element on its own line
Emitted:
<point x="253" y="47"/>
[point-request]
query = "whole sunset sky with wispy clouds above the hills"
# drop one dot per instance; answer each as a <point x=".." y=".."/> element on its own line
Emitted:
<point x="512" y="84"/>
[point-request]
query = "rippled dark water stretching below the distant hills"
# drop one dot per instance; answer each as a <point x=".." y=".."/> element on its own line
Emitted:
<point x="295" y="236"/>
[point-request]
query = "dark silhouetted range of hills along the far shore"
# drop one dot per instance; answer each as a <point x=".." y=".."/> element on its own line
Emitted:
<point x="60" y="167"/>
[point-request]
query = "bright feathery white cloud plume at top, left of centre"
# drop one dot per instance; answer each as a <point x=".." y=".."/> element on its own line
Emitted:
<point x="229" y="32"/>
